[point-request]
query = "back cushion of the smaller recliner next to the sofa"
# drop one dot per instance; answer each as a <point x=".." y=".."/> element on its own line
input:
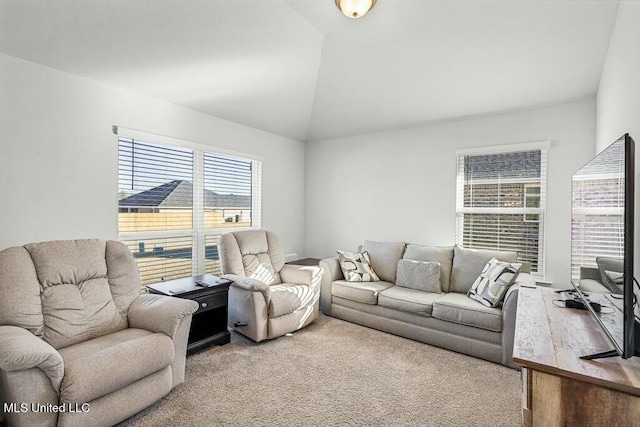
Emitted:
<point x="252" y="253"/>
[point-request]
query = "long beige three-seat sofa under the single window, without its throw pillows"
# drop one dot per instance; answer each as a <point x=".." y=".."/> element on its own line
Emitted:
<point x="449" y="319"/>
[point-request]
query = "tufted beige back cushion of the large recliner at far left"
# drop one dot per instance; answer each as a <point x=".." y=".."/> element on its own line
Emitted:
<point x="85" y="288"/>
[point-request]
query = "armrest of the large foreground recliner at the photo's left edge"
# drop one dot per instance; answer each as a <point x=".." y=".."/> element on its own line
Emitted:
<point x="21" y="350"/>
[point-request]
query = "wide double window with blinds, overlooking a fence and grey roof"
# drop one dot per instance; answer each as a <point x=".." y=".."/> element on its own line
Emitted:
<point x="174" y="202"/>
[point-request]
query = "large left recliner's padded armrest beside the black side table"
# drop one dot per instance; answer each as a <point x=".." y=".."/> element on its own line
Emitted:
<point x="159" y="313"/>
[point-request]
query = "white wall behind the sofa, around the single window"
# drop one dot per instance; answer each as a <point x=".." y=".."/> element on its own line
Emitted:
<point x="401" y="185"/>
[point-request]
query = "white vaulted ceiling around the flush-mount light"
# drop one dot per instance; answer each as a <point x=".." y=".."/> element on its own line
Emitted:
<point x="300" y="69"/>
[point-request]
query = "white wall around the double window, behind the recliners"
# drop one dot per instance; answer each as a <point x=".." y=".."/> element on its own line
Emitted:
<point x="59" y="164"/>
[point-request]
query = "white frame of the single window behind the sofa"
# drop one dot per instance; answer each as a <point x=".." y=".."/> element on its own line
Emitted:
<point x="461" y="210"/>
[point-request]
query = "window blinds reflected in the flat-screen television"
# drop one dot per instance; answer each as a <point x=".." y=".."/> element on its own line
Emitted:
<point x="597" y="217"/>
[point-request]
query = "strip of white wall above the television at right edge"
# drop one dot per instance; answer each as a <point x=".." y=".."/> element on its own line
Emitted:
<point x="618" y="100"/>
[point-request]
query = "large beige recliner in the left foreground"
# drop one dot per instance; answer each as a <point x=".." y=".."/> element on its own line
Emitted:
<point x="75" y="334"/>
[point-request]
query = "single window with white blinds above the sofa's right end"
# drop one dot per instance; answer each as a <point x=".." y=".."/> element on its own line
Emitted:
<point x="500" y="201"/>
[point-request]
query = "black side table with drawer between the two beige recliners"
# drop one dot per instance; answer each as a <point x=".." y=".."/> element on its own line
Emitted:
<point x="209" y="323"/>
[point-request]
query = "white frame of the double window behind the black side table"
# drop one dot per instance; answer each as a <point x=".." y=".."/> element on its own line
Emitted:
<point x="198" y="232"/>
